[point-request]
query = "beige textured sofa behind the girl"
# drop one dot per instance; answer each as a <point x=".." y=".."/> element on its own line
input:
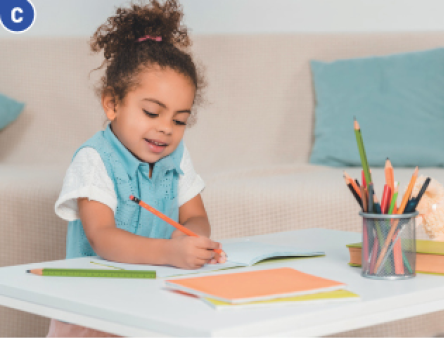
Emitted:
<point x="251" y="144"/>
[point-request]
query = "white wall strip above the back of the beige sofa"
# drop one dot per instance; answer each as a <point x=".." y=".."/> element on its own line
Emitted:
<point x="82" y="17"/>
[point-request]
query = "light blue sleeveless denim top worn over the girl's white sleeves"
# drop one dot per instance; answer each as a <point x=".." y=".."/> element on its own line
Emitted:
<point x="131" y="177"/>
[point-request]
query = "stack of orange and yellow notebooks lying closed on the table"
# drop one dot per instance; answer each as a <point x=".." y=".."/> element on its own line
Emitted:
<point x="259" y="288"/>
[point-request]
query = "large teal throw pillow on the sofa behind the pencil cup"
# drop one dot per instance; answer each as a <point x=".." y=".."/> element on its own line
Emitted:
<point x="398" y="101"/>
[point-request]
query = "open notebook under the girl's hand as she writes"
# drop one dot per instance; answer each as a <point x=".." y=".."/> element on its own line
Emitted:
<point x="240" y="253"/>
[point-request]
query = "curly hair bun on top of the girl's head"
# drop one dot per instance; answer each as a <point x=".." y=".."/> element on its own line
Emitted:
<point x="129" y="24"/>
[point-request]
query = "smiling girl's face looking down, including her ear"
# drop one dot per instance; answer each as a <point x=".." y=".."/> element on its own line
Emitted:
<point x="151" y="120"/>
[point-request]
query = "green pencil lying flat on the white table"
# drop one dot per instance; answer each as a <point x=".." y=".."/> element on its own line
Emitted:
<point x="94" y="273"/>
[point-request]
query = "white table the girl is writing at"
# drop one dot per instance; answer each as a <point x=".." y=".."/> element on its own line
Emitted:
<point x="131" y="307"/>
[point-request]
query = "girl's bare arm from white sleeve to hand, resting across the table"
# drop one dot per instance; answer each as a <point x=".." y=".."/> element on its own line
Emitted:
<point x="119" y="245"/>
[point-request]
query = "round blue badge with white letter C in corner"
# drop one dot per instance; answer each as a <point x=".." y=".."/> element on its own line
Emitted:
<point x="17" y="16"/>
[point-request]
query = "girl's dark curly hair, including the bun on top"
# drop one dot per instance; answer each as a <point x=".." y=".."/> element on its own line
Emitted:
<point x="125" y="57"/>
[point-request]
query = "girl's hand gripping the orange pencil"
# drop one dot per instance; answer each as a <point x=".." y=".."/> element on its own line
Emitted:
<point x="189" y="252"/>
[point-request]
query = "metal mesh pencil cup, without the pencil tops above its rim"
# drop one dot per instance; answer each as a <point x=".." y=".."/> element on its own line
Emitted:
<point x="388" y="246"/>
